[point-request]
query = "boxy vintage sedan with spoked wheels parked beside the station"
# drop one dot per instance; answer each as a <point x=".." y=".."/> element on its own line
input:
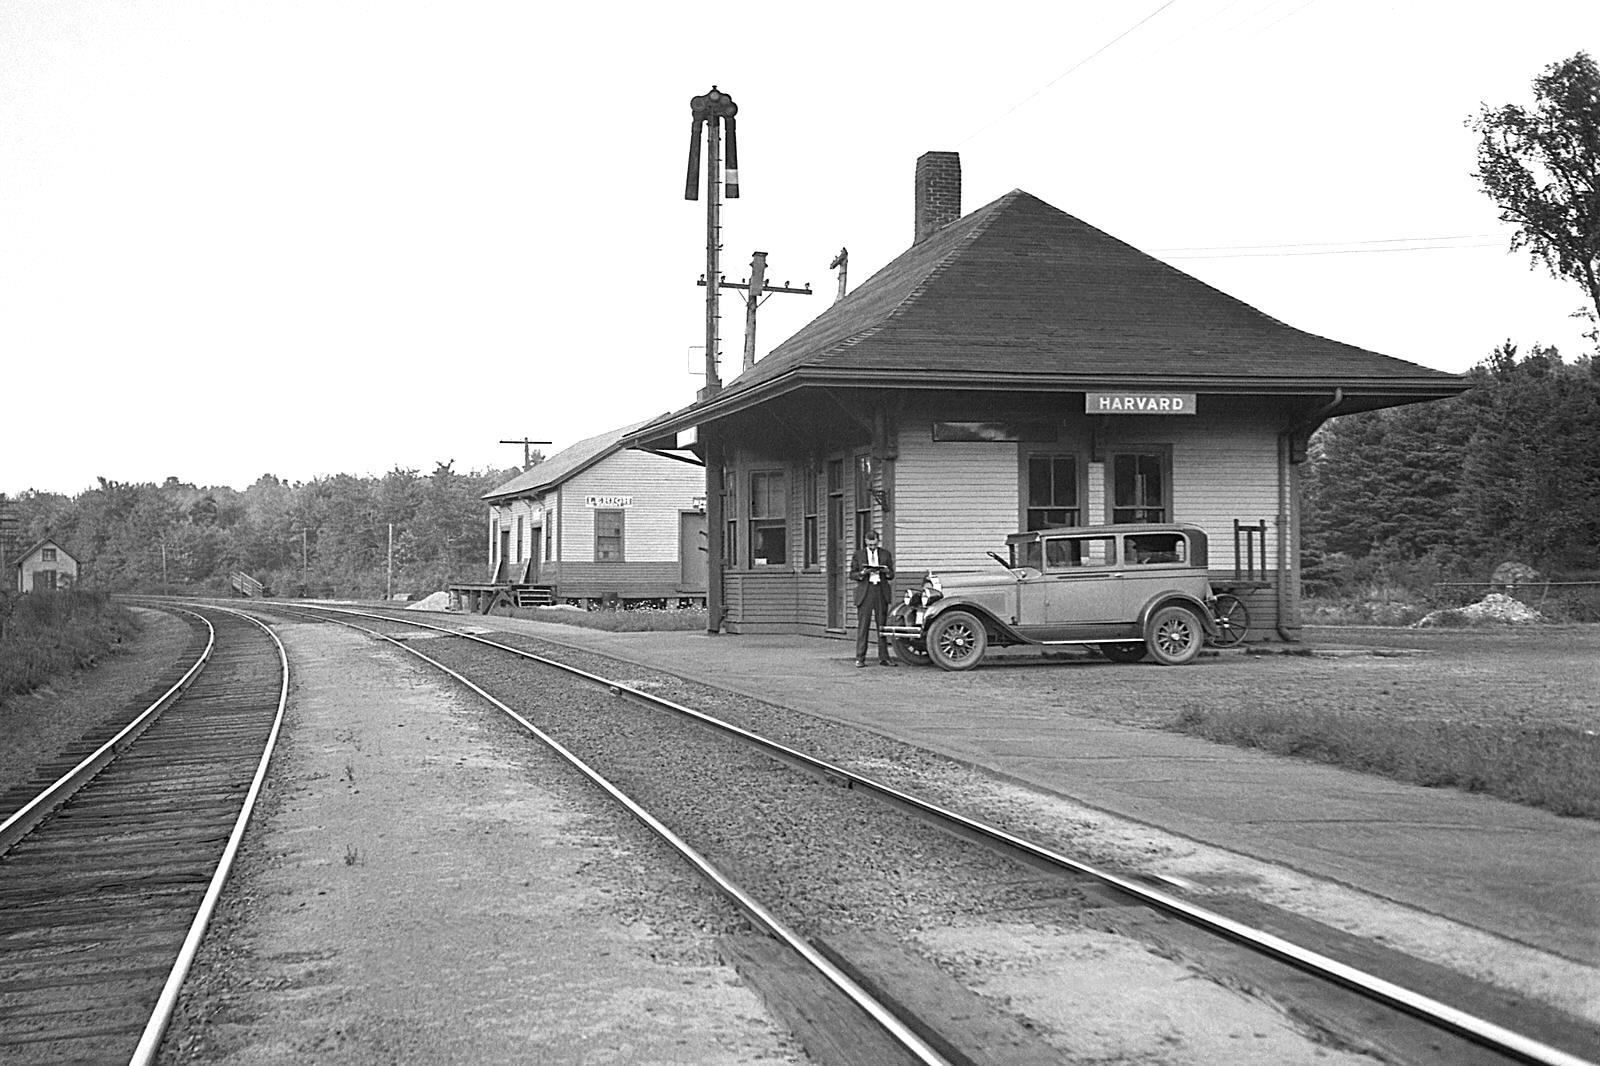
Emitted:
<point x="1132" y="591"/>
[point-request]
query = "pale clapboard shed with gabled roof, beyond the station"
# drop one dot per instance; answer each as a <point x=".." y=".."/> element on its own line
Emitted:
<point x="596" y="524"/>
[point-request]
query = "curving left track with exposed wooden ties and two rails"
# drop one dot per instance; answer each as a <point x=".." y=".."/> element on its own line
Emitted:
<point x="110" y="875"/>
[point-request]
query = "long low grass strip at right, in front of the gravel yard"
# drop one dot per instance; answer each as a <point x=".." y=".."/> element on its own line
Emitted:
<point x="1551" y="766"/>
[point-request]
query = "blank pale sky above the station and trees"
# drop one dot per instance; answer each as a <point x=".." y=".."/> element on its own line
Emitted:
<point x="329" y="236"/>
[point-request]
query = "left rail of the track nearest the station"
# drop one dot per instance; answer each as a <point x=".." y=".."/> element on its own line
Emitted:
<point x="753" y="908"/>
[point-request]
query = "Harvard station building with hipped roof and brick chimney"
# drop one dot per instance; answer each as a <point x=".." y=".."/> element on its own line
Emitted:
<point x="1018" y="369"/>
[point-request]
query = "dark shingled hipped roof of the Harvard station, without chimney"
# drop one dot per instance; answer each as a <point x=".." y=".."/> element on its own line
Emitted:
<point x="1022" y="295"/>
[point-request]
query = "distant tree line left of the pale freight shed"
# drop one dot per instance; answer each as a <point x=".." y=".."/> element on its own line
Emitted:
<point x="327" y="537"/>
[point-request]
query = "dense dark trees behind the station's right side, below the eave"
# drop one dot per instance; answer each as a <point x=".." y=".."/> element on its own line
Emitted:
<point x="1447" y="491"/>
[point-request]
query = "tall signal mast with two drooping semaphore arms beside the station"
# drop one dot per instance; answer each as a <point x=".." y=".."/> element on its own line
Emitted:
<point x="711" y="111"/>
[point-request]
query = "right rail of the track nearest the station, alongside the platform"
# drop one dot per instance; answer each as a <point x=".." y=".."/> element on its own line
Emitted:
<point x="1450" y="1019"/>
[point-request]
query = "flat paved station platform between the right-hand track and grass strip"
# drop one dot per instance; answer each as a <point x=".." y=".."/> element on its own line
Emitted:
<point x="1508" y="870"/>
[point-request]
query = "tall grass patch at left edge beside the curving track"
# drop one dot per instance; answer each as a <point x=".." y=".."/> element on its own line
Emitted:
<point x="50" y="635"/>
